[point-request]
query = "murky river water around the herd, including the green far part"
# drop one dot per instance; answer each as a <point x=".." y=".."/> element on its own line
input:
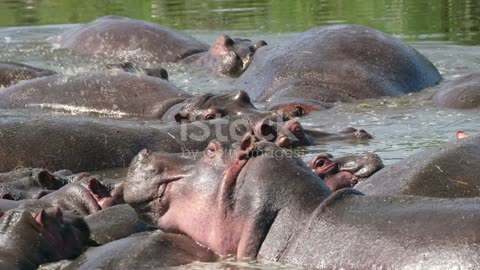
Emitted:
<point x="401" y="126"/>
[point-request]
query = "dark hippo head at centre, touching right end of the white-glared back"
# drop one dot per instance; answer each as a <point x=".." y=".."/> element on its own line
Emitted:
<point x="211" y="106"/>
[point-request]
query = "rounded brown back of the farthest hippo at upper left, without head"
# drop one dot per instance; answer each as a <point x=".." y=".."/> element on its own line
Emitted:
<point x="130" y="40"/>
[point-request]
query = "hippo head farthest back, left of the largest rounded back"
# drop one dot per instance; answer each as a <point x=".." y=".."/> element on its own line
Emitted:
<point x="231" y="57"/>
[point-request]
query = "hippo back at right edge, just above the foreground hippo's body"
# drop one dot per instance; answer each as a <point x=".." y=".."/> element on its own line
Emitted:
<point x="448" y="172"/>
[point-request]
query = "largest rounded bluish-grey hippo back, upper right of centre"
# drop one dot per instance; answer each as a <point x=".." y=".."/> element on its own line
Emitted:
<point x="337" y="63"/>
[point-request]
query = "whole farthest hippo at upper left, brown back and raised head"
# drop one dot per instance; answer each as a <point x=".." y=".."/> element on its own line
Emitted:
<point x="140" y="41"/>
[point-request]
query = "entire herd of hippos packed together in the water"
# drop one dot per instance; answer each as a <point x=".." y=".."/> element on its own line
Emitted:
<point x="244" y="195"/>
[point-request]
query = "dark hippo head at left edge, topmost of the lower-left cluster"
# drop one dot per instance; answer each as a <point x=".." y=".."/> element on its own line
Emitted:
<point x="30" y="183"/>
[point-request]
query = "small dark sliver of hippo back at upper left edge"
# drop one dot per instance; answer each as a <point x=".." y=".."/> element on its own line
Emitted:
<point x="11" y="73"/>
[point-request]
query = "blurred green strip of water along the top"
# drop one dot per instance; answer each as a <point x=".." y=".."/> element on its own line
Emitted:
<point x="413" y="20"/>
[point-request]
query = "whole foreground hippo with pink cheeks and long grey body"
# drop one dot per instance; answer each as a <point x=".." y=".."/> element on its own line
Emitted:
<point x="253" y="200"/>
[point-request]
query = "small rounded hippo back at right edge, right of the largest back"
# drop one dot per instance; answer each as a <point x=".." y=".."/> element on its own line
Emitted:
<point x="460" y="93"/>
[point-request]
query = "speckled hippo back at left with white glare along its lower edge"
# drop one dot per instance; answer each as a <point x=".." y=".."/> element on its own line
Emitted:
<point x="110" y="93"/>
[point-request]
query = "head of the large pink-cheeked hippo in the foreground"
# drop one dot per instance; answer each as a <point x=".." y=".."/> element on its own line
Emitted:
<point x="225" y="198"/>
